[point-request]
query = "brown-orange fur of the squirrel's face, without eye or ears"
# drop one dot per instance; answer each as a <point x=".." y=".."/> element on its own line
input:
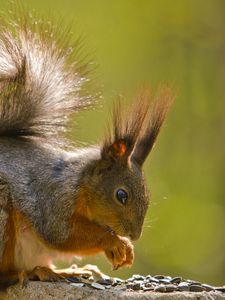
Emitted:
<point x="103" y="206"/>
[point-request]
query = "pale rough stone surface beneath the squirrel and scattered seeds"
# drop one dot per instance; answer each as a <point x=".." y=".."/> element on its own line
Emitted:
<point x="49" y="291"/>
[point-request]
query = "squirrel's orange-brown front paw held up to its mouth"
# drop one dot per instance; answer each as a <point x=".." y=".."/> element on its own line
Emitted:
<point x="121" y="254"/>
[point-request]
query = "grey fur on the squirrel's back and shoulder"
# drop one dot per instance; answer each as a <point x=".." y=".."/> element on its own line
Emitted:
<point x="46" y="199"/>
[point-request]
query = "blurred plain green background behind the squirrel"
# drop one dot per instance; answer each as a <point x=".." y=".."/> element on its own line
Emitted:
<point x="141" y="43"/>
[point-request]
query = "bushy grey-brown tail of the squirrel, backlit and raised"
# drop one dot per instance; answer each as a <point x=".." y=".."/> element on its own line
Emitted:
<point x="41" y="80"/>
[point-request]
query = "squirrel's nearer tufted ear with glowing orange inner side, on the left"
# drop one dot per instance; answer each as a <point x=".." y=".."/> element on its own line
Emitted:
<point x="121" y="139"/>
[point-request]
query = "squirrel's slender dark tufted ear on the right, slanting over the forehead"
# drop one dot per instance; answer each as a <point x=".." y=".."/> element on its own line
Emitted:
<point x="152" y="125"/>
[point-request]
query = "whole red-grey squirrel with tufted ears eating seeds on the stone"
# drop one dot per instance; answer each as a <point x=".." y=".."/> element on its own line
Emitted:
<point x="54" y="201"/>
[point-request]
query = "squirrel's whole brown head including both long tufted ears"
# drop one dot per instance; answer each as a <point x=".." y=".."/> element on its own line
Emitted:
<point x="116" y="190"/>
